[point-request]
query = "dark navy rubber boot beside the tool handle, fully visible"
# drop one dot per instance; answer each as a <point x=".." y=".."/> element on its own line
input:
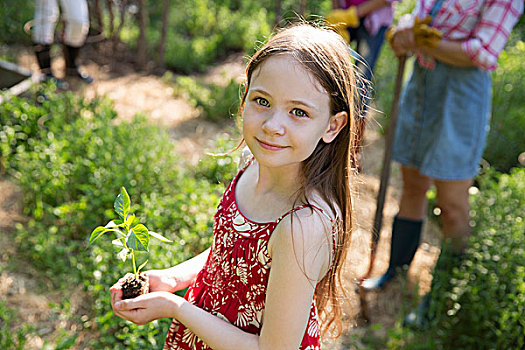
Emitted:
<point x="403" y="246"/>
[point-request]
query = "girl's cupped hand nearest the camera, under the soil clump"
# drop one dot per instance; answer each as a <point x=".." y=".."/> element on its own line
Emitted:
<point x="145" y="308"/>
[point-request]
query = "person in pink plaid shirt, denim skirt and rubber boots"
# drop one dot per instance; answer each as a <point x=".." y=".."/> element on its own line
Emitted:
<point x="443" y="121"/>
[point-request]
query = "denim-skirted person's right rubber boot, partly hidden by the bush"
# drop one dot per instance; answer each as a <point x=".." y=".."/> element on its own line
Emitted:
<point x="448" y="259"/>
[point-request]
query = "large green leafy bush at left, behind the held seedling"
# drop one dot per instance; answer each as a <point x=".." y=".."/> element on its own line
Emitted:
<point x="70" y="166"/>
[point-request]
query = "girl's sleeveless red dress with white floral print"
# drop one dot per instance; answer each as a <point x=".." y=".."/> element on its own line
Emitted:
<point x="232" y="285"/>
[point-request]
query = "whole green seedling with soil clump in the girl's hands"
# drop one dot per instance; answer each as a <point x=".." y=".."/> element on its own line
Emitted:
<point x="132" y="236"/>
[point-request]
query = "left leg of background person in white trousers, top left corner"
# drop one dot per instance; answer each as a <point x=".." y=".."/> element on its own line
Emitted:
<point x="46" y="16"/>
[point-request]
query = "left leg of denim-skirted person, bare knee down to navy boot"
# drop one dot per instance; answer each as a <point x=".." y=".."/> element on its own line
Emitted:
<point x="406" y="229"/>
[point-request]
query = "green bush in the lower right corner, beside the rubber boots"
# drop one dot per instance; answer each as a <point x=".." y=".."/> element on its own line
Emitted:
<point x="480" y="304"/>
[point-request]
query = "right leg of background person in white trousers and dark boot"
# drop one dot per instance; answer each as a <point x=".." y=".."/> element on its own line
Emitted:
<point x="77" y="25"/>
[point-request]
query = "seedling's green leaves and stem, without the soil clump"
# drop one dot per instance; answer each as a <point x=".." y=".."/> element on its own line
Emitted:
<point x="132" y="235"/>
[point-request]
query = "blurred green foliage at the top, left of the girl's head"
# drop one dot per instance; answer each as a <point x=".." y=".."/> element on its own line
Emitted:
<point x="201" y="32"/>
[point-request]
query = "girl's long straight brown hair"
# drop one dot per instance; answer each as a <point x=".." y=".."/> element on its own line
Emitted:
<point x="329" y="169"/>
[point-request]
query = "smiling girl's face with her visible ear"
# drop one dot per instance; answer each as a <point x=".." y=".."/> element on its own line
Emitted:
<point x="286" y="113"/>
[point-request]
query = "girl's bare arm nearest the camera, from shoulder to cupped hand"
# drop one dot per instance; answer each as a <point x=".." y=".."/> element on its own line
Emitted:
<point x="300" y="257"/>
